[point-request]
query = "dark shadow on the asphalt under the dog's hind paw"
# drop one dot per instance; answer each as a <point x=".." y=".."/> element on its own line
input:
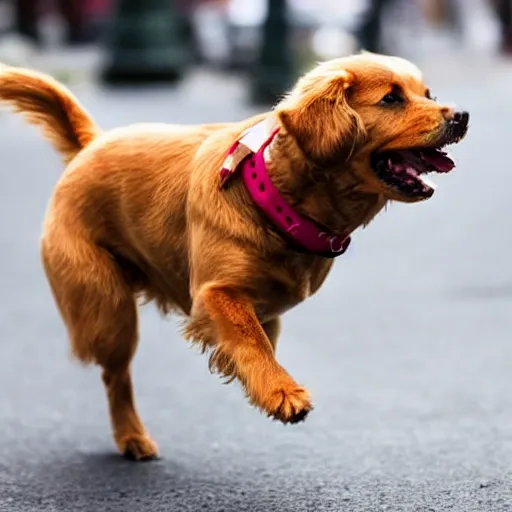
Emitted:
<point x="108" y="482"/>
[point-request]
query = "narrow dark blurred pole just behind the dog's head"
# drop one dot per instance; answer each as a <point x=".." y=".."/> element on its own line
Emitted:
<point x="273" y="73"/>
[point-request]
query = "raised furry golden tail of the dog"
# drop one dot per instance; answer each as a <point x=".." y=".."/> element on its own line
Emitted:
<point x="50" y="105"/>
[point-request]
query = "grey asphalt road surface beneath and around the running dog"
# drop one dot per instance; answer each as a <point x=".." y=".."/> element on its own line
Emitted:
<point x="407" y="350"/>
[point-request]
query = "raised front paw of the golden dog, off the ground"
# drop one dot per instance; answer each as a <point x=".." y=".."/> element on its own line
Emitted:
<point x="288" y="404"/>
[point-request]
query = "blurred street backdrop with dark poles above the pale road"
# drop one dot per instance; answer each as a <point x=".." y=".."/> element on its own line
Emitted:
<point x="270" y="40"/>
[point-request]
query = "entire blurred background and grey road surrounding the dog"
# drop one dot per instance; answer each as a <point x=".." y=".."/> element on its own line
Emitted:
<point x="407" y="347"/>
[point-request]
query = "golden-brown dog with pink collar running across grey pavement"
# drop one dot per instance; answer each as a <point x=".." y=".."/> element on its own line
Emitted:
<point x="229" y="225"/>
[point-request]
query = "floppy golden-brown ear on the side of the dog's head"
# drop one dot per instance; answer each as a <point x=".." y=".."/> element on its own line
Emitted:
<point x="318" y="116"/>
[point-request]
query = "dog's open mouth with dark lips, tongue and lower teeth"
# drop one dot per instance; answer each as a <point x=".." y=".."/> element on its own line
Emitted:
<point x="406" y="170"/>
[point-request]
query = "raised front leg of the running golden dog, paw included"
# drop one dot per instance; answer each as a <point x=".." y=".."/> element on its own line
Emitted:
<point x="224" y="318"/>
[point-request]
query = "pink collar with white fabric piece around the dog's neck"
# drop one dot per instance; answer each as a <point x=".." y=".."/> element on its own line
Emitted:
<point x="249" y="154"/>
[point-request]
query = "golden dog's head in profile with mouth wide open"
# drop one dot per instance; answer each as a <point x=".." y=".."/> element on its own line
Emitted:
<point x="373" y="114"/>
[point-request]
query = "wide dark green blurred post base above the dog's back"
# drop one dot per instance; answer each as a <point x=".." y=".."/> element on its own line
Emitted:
<point x="147" y="42"/>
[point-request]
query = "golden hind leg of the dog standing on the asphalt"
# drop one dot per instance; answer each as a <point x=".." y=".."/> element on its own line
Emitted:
<point x="100" y="313"/>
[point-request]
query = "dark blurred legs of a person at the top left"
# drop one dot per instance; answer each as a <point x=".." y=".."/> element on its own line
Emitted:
<point x="27" y="14"/>
